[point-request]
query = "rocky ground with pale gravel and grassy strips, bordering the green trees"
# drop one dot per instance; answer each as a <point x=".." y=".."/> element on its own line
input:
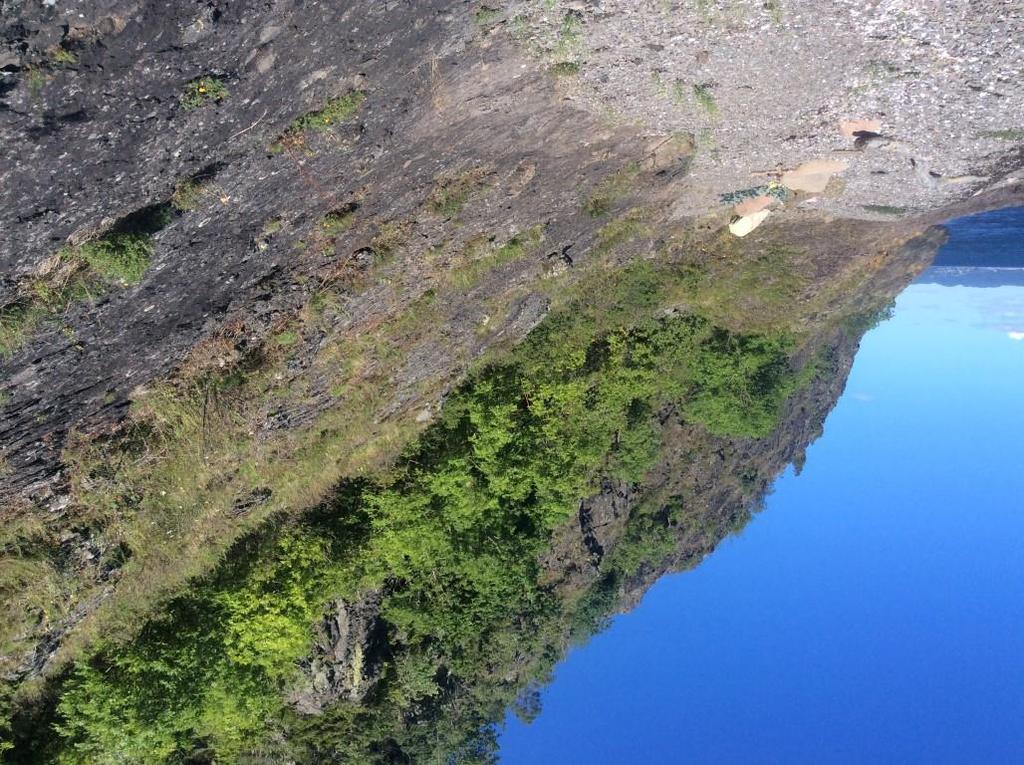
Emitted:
<point x="249" y="248"/>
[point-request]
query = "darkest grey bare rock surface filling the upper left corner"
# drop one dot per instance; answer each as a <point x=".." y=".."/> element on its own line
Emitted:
<point x="88" y="143"/>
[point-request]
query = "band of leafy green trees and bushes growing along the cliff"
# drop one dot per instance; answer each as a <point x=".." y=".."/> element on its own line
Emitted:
<point x="452" y="536"/>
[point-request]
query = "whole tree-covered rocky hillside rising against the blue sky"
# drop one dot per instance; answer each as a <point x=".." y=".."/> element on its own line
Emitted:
<point x="418" y="666"/>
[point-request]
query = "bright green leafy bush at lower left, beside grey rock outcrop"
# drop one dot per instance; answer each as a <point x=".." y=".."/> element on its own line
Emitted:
<point x="210" y="670"/>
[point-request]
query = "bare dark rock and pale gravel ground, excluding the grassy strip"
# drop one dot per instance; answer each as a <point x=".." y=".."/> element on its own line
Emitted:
<point x="97" y="127"/>
